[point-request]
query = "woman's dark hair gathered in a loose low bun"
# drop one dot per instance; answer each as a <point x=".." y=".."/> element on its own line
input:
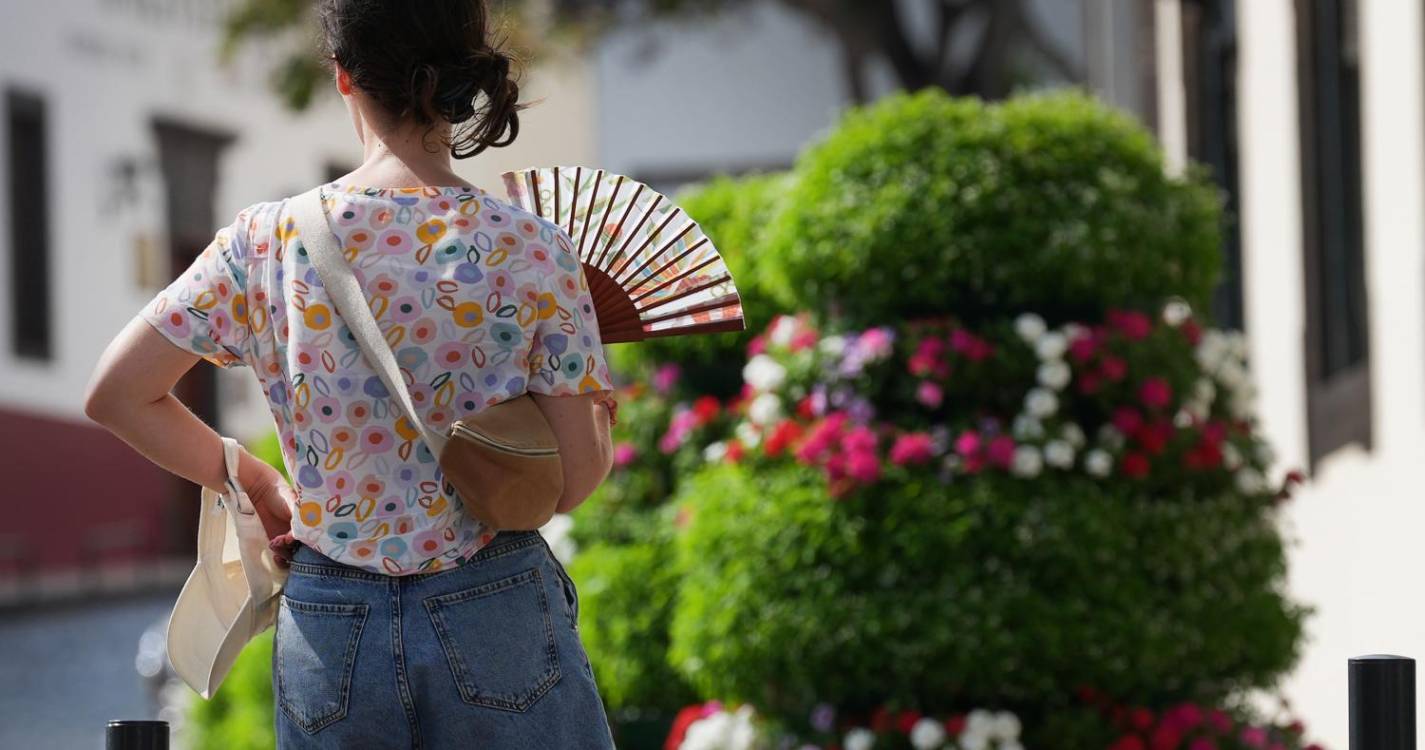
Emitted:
<point x="430" y="66"/>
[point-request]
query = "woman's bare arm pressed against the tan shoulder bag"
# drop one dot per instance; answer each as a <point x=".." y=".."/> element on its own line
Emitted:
<point x="585" y="448"/>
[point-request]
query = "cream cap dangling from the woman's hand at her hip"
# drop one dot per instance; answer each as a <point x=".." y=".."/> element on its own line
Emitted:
<point x="232" y="595"/>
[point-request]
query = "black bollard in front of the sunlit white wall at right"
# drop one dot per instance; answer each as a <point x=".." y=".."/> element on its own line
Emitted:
<point x="1383" y="704"/>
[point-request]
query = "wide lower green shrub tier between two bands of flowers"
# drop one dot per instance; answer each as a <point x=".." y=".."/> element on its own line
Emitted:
<point x="990" y="591"/>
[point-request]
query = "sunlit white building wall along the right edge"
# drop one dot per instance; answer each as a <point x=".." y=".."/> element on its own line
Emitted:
<point x="1357" y="523"/>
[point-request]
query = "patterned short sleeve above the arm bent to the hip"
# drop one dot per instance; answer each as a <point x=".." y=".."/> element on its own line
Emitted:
<point x="204" y="312"/>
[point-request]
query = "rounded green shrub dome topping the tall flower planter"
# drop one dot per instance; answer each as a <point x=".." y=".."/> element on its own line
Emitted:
<point x="926" y="205"/>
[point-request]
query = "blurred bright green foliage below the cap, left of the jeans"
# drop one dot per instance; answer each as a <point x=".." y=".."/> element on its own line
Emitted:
<point x="240" y="716"/>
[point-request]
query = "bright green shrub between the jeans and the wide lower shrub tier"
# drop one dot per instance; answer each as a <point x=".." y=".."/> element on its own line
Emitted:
<point x="626" y="601"/>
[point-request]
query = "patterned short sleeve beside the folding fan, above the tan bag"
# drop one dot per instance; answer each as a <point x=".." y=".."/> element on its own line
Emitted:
<point x="566" y="356"/>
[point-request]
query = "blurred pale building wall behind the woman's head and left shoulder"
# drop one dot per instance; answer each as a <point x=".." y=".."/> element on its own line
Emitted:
<point x="106" y="69"/>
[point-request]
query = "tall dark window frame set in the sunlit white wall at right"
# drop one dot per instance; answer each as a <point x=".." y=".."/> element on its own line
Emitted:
<point x="1337" y="306"/>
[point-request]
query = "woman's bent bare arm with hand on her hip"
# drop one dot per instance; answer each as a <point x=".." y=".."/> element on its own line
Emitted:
<point x="129" y="394"/>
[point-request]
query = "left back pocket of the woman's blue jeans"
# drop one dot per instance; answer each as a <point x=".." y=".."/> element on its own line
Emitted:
<point x="316" y="655"/>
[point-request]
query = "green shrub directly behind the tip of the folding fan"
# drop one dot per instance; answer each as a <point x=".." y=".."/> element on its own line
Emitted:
<point x="735" y="213"/>
